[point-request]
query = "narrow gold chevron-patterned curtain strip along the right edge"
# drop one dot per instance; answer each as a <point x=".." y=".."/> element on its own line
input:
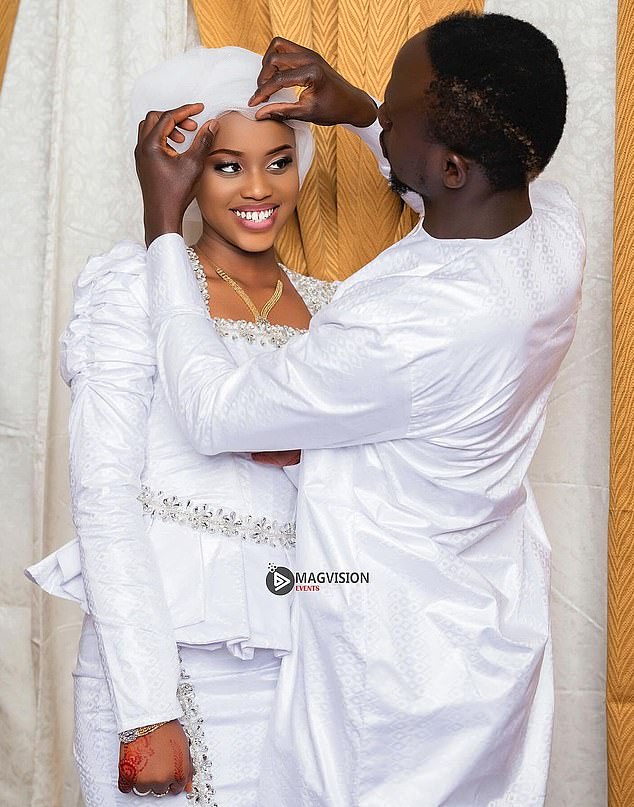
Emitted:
<point x="620" y="690"/>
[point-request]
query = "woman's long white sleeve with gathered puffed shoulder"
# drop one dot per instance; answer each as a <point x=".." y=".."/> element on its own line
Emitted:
<point x="108" y="358"/>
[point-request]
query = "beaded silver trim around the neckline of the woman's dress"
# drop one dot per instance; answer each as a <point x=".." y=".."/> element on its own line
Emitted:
<point x="314" y="292"/>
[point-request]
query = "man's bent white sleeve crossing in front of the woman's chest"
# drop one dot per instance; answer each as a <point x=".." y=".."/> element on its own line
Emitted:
<point x="343" y="383"/>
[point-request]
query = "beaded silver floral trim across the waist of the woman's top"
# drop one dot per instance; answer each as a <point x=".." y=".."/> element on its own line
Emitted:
<point x="226" y="522"/>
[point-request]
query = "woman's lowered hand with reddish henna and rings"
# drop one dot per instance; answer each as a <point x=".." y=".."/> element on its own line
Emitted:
<point x="157" y="763"/>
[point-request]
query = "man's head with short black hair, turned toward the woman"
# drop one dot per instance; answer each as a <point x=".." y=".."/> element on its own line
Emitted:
<point x="484" y="94"/>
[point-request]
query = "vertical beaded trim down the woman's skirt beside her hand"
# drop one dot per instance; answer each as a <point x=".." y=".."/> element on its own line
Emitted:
<point x="203" y="790"/>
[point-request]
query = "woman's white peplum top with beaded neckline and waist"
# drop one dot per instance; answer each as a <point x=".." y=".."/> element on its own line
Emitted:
<point x="150" y="570"/>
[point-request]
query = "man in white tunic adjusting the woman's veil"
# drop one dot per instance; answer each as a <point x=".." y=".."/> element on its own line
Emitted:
<point x="418" y="398"/>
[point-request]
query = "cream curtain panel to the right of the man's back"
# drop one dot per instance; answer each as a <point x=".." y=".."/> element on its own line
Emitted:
<point x="570" y="473"/>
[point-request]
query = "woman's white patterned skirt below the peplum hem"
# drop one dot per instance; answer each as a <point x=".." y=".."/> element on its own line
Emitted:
<point x="234" y="697"/>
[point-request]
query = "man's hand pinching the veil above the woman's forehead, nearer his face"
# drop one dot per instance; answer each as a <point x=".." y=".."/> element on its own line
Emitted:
<point x="327" y="98"/>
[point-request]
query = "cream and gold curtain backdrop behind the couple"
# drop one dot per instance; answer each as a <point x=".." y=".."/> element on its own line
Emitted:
<point x="69" y="191"/>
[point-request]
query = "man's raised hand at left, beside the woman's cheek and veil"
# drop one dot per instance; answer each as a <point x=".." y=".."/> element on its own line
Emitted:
<point x="169" y="179"/>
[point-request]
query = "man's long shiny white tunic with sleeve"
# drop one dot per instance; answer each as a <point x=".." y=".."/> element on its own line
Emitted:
<point x="419" y="396"/>
